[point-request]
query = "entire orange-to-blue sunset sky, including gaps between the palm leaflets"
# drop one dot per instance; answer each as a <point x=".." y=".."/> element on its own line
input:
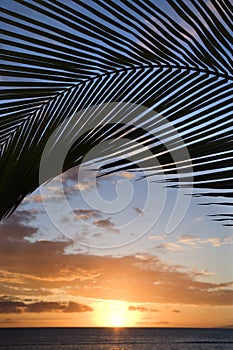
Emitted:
<point x="119" y="250"/>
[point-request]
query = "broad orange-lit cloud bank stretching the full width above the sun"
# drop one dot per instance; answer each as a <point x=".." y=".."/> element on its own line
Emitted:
<point x="30" y="267"/>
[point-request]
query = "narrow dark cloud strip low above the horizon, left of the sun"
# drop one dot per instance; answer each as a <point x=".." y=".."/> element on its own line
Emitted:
<point x="16" y="307"/>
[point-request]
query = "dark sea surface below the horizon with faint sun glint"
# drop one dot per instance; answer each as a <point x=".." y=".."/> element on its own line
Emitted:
<point x="115" y="339"/>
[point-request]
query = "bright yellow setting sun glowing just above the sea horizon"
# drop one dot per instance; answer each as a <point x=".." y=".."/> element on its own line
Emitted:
<point x="114" y="314"/>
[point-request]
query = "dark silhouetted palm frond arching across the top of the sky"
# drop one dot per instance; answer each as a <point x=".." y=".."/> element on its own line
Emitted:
<point x="62" y="57"/>
